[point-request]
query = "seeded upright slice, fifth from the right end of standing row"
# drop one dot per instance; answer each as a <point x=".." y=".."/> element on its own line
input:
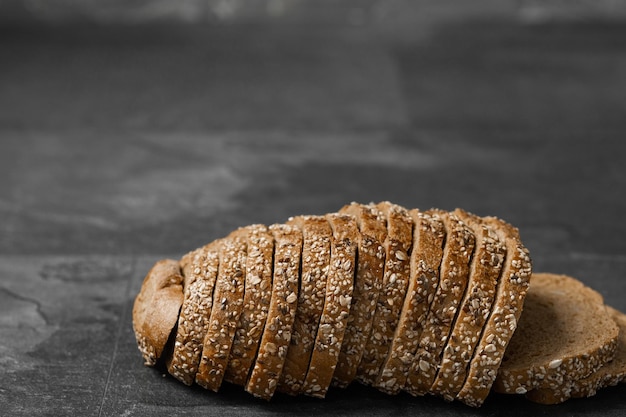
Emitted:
<point x="391" y="298"/>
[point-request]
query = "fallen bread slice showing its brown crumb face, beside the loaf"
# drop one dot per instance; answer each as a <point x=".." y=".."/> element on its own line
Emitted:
<point x="565" y="334"/>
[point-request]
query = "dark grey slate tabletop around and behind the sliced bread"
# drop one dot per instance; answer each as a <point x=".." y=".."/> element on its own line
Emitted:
<point x="121" y="145"/>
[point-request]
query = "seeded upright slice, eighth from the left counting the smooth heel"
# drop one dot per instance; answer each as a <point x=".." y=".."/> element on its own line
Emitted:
<point x="367" y="284"/>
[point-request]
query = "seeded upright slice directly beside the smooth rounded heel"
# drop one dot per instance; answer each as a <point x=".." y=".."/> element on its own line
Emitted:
<point x="200" y="271"/>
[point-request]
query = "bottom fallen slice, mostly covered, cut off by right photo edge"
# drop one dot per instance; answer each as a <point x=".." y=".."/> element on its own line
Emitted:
<point x="611" y="373"/>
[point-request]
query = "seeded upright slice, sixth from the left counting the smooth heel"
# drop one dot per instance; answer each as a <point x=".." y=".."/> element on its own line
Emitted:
<point x="316" y="239"/>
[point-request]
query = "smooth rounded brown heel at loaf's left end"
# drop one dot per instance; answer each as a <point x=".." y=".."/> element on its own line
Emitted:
<point x="156" y="307"/>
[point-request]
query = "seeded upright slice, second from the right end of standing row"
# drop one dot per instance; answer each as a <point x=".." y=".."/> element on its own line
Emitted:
<point x="485" y="269"/>
